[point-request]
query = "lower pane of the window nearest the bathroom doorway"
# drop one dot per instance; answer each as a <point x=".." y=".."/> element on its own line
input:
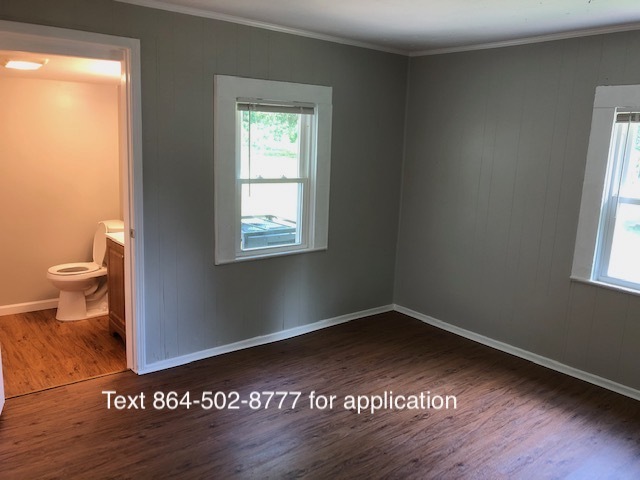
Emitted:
<point x="270" y="215"/>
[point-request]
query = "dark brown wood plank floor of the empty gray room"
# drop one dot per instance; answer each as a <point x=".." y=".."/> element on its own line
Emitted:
<point x="514" y="419"/>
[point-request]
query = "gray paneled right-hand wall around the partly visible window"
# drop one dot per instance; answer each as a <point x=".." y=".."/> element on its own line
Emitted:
<point x="495" y="158"/>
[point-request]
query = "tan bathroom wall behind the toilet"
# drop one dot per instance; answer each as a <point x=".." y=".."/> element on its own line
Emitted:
<point x="59" y="176"/>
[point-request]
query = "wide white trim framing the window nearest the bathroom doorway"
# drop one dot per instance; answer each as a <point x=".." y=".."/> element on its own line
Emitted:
<point x="227" y="91"/>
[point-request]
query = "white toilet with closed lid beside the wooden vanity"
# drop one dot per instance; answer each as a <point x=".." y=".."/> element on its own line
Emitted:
<point x="83" y="285"/>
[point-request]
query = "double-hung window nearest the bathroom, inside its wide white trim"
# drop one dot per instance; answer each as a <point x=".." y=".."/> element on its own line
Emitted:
<point x="274" y="173"/>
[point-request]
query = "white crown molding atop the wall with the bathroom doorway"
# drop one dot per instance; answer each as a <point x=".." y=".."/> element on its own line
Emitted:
<point x="199" y="12"/>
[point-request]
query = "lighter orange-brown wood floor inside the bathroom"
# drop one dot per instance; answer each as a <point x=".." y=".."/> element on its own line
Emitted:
<point x="39" y="352"/>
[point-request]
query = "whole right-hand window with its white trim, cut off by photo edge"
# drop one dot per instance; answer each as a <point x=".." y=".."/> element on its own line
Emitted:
<point x="608" y="242"/>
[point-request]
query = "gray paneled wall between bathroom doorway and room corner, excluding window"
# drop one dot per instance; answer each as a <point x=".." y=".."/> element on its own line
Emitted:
<point x="190" y="304"/>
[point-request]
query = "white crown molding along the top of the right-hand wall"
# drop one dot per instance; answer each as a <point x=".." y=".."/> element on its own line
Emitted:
<point x="528" y="40"/>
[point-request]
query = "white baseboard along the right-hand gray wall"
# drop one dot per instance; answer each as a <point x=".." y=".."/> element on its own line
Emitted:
<point x="518" y="352"/>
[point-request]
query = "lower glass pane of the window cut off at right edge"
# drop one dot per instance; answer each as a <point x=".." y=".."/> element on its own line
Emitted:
<point x="624" y="262"/>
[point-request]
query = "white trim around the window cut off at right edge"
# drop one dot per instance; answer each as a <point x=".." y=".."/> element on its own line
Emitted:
<point x="607" y="100"/>
